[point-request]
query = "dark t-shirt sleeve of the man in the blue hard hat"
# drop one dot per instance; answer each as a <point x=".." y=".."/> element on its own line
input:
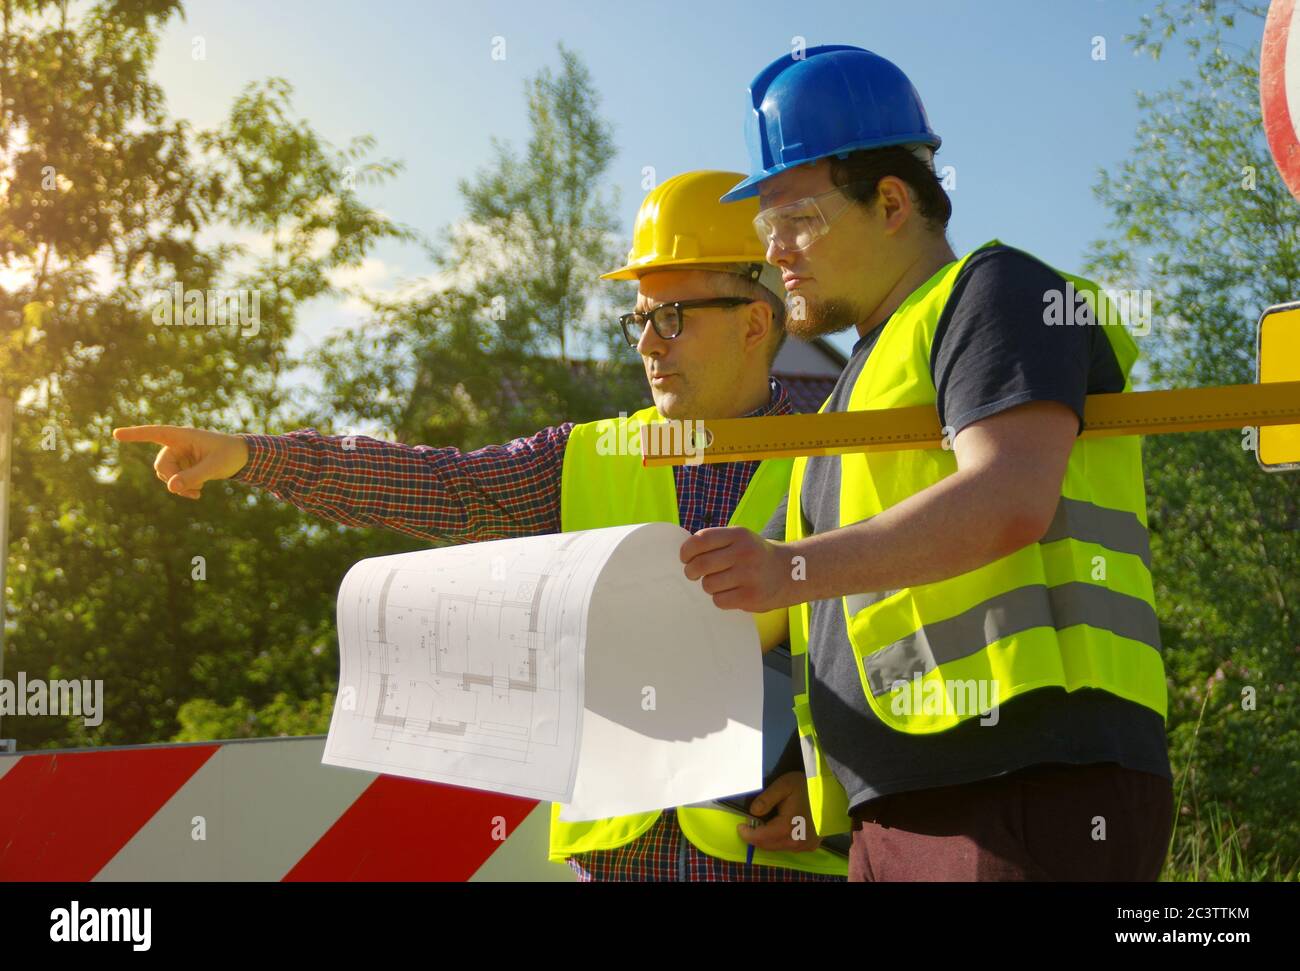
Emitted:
<point x="995" y="349"/>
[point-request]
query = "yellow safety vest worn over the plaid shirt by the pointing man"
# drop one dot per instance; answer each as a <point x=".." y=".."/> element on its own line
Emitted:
<point x="604" y="484"/>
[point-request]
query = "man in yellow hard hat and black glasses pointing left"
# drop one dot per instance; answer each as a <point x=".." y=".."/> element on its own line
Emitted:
<point x="708" y="324"/>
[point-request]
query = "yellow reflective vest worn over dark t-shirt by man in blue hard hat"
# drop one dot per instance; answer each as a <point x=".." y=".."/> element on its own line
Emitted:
<point x="1074" y="610"/>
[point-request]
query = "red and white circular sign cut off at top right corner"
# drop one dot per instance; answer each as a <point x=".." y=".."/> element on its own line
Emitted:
<point x="1280" y="89"/>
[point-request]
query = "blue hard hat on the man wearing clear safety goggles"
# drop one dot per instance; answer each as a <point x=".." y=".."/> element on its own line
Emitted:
<point x="834" y="101"/>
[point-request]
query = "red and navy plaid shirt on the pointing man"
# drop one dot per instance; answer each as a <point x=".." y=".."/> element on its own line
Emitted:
<point x="447" y="496"/>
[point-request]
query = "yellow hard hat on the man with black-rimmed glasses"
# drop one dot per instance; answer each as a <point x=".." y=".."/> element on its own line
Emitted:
<point x="682" y="226"/>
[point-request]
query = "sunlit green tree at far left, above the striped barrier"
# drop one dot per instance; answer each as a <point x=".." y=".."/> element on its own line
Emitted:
<point x="106" y="203"/>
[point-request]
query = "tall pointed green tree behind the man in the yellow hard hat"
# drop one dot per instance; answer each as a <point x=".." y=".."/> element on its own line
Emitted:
<point x="518" y="332"/>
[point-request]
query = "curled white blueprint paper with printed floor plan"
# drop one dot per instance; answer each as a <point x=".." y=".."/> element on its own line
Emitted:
<point x="582" y="669"/>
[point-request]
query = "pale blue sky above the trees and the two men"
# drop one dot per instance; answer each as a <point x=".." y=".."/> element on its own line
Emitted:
<point x="1026" y="114"/>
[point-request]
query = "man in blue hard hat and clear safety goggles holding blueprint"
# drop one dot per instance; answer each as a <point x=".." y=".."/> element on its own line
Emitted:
<point x="983" y="695"/>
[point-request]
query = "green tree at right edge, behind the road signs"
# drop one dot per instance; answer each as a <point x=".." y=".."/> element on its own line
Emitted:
<point x="1203" y="220"/>
